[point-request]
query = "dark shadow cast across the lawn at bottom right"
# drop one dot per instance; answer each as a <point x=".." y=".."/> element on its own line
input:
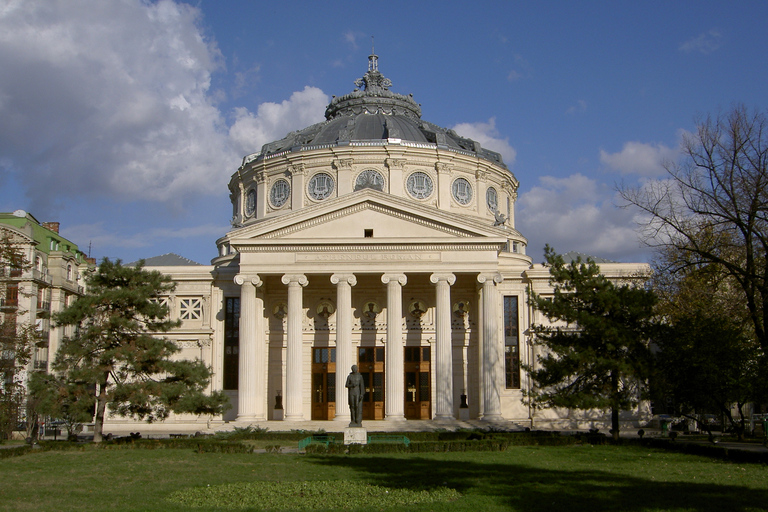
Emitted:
<point x="532" y="489"/>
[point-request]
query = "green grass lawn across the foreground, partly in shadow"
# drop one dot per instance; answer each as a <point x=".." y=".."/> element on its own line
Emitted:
<point x="531" y="479"/>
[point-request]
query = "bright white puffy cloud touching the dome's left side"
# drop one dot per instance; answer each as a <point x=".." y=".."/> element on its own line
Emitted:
<point x="274" y="121"/>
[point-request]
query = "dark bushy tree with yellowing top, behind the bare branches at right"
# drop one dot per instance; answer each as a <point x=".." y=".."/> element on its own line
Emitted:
<point x="708" y="360"/>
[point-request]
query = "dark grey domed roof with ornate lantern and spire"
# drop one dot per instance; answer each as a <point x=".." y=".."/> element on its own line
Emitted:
<point x="374" y="113"/>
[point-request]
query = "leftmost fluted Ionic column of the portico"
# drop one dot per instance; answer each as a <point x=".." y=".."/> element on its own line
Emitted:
<point x="251" y="387"/>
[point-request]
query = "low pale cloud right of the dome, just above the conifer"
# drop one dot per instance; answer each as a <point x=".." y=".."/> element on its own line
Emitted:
<point x="575" y="213"/>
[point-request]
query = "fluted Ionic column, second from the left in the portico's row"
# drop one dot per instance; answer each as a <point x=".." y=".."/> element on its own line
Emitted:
<point x="294" y="369"/>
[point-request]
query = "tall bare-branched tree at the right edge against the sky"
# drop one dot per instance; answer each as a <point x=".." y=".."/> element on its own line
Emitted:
<point x="712" y="208"/>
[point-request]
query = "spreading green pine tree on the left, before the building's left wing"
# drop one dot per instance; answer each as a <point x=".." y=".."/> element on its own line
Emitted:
<point x="114" y="358"/>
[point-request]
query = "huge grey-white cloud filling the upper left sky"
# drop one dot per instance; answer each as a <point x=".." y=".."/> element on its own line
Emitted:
<point x="95" y="106"/>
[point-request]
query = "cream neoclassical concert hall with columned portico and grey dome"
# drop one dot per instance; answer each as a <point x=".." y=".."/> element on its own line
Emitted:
<point x="373" y="238"/>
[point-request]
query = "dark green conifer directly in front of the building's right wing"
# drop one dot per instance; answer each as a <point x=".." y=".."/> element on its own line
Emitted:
<point x="597" y="347"/>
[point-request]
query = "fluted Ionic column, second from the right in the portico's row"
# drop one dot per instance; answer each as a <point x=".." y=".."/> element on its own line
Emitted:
<point x="444" y="348"/>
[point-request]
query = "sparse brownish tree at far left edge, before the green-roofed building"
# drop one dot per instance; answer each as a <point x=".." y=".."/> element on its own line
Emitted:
<point x="17" y="339"/>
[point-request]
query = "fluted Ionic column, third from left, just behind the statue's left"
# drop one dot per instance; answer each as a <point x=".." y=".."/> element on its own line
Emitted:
<point x="345" y="358"/>
